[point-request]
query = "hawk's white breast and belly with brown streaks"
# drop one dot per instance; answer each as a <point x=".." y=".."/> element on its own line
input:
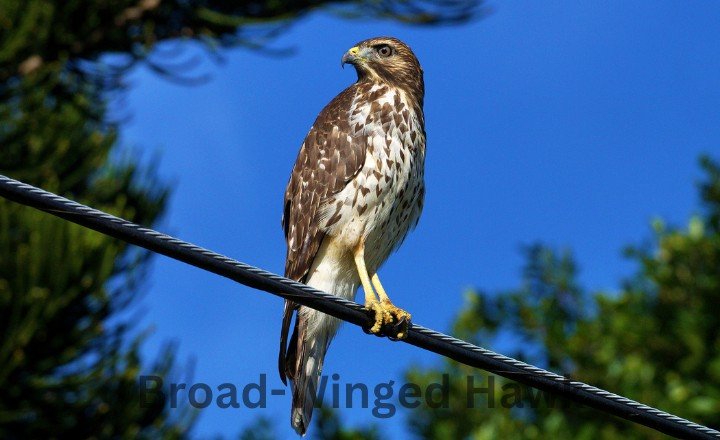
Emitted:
<point x="384" y="200"/>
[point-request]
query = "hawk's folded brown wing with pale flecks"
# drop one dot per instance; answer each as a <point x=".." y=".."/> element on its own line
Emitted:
<point x="328" y="159"/>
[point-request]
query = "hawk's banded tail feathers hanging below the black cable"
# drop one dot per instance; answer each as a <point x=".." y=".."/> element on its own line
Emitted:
<point x="305" y="383"/>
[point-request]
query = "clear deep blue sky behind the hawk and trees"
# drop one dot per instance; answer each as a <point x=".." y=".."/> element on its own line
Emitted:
<point x="572" y="123"/>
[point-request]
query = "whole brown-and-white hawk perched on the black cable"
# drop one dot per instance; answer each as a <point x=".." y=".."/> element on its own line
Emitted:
<point x="354" y="193"/>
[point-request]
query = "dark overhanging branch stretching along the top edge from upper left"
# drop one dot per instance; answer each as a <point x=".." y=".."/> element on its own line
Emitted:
<point x="70" y="33"/>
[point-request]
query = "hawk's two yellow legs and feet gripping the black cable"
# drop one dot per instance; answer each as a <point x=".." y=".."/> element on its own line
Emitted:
<point x="386" y="312"/>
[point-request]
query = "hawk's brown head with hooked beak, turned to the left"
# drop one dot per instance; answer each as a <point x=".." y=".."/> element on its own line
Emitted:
<point x="388" y="60"/>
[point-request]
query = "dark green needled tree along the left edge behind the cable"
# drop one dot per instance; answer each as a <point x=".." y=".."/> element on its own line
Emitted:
<point x="65" y="366"/>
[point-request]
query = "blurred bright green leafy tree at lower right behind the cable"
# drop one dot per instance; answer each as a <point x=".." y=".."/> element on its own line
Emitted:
<point x="656" y="340"/>
